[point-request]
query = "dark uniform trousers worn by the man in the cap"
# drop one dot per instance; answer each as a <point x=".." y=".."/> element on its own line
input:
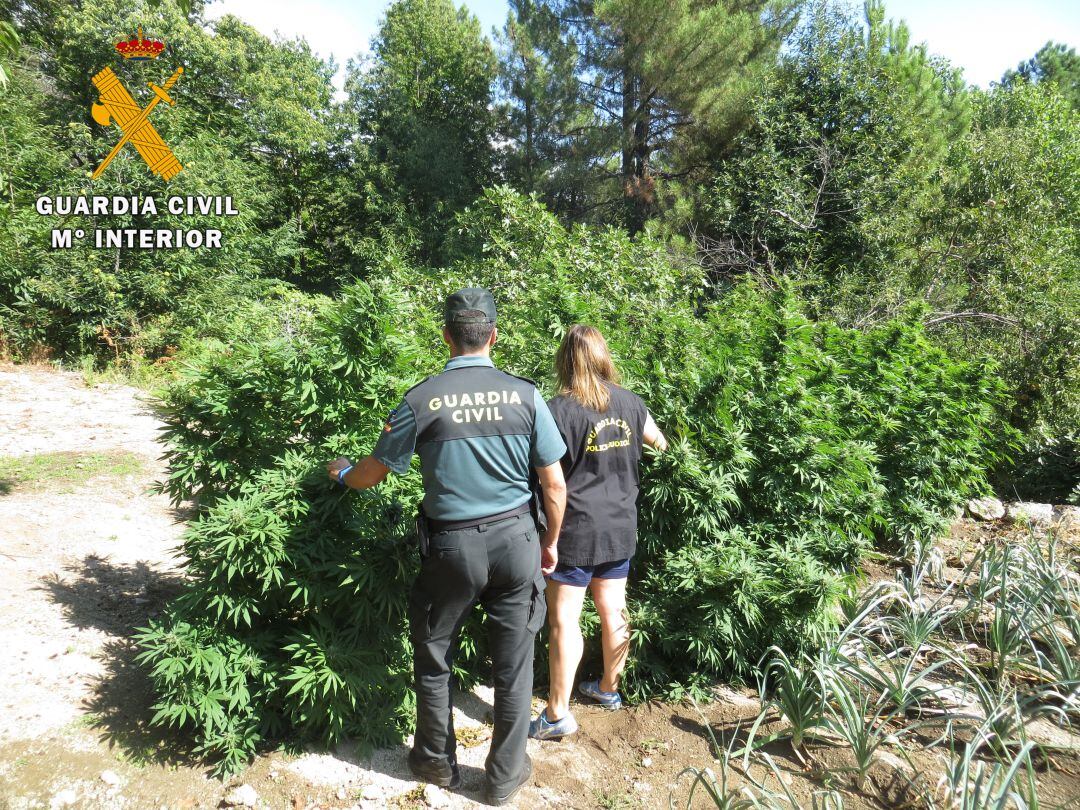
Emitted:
<point x="498" y="565"/>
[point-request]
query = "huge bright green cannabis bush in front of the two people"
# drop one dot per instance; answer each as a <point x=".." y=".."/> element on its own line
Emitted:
<point x="796" y="445"/>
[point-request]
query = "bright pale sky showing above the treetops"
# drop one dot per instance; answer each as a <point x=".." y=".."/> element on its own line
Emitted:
<point x="984" y="38"/>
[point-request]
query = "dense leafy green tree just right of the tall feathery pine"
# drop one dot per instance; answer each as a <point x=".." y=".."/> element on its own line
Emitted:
<point x="832" y="181"/>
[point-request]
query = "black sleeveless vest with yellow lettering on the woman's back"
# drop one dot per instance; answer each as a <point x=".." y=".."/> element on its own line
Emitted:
<point x="604" y="452"/>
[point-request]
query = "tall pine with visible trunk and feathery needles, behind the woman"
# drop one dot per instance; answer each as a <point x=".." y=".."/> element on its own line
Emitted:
<point x="652" y="70"/>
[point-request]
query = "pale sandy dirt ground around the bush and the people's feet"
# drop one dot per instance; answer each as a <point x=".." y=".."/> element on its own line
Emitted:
<point x="86" y="559"/>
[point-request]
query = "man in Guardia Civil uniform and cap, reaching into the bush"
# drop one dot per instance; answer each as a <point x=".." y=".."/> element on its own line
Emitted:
<point x="479" y="433"/>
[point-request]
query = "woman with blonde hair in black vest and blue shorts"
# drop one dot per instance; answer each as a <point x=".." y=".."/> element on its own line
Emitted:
<point x="604" y="427"/>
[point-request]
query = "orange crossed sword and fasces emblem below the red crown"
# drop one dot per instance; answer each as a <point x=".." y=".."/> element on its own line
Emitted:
<point x="117" y="105"/>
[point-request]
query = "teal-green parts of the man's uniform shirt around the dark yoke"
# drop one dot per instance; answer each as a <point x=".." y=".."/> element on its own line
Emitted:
<point x="472" y="477"/>
